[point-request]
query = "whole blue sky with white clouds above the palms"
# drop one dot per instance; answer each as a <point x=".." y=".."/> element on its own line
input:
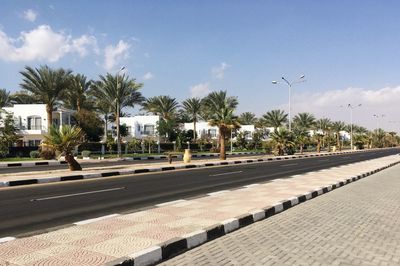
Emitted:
<point x="348" y="50"/>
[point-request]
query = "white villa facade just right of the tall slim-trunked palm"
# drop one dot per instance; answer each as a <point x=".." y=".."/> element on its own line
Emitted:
<point x="140" y="126"/>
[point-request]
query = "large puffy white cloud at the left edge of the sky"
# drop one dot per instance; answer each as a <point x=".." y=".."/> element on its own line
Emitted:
<point x="42" y="43"/>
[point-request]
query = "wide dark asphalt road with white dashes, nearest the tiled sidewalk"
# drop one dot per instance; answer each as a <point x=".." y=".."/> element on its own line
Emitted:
<point x="27" y="210"/>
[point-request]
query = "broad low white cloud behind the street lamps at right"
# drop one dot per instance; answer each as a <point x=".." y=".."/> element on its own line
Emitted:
<point x="328" y="104"/>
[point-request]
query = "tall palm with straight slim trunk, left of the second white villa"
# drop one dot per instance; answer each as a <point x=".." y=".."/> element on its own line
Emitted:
<point x="115" y="96"/>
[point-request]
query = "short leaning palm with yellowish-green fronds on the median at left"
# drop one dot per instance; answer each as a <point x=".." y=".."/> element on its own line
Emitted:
<point x="65" y="140"/>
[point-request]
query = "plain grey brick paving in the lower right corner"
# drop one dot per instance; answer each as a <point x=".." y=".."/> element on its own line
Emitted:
<point x="355" y="225"/>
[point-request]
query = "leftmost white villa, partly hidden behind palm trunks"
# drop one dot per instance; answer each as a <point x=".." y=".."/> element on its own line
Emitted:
<point x="31" y="120"/>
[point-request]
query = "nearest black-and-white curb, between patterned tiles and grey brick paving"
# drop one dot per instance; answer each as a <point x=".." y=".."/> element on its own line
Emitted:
<point x="176" y="246"/>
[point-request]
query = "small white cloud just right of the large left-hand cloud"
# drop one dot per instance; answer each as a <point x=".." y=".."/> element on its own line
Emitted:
<point x="113" y="55"/>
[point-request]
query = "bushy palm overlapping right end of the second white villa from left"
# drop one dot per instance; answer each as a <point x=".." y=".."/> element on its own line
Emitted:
<point x="163" y="106"/>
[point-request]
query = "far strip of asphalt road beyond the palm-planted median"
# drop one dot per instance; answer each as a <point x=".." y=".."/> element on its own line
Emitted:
<point x="100" y="163"/>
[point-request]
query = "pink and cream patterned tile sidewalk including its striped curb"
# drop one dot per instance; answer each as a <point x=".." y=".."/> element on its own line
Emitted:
<point x="148" y="236"/>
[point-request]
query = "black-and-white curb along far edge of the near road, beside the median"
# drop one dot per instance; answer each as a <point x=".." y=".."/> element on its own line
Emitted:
<point x="161" y="169"/>
